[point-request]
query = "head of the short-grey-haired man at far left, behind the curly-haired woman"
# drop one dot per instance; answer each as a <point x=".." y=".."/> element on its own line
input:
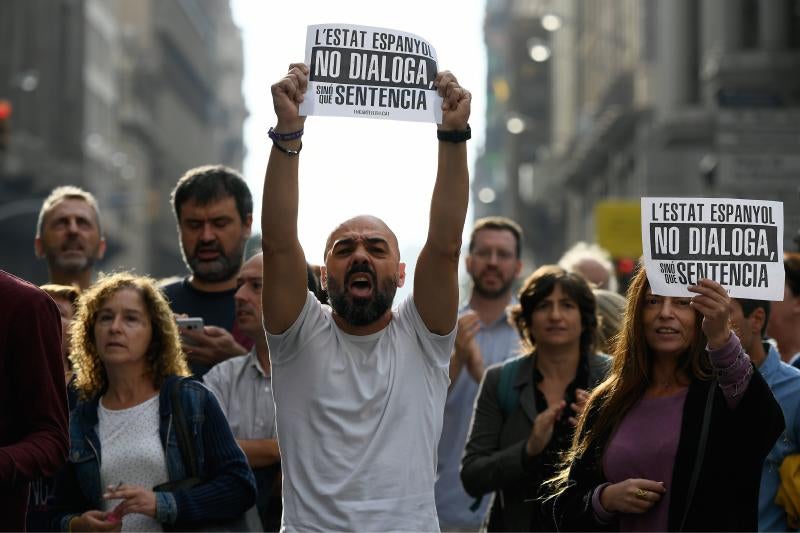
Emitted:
<point x="69" y="236"/>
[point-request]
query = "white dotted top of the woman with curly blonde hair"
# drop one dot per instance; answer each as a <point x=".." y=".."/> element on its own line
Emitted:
<point x="131" y="452"/>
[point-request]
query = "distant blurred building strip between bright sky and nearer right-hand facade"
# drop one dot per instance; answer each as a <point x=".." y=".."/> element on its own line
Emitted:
<point x="518" y="118"/>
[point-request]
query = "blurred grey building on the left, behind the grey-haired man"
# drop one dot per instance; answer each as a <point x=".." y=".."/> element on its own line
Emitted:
<point x="119" y="98"/>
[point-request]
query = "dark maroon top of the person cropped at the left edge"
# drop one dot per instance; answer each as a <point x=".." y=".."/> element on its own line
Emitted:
<point x="33" y="400"/>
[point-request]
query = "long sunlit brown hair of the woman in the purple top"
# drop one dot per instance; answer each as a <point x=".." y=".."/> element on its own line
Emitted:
<point x="630" y="375"/>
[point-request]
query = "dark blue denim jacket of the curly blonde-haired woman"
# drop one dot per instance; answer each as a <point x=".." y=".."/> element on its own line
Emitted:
<point x="228" y="489"/>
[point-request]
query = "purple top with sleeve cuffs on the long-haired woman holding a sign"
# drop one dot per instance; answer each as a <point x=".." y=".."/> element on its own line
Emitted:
<point x="645" y="443"/>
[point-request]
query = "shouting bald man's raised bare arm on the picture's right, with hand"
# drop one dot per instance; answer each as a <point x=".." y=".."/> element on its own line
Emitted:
<point x="436" y="276"/>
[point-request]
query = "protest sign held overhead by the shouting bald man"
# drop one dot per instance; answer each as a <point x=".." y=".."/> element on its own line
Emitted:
<point x="360" y="71"/>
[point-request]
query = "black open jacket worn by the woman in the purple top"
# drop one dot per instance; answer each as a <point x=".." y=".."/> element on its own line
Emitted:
<point x="726" y="496"/>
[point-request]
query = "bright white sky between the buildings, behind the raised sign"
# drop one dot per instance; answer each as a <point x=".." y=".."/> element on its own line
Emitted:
<point x="351" y="166"/>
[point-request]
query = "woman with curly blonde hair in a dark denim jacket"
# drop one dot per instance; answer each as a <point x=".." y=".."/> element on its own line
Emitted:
<point x="126" y="463"/>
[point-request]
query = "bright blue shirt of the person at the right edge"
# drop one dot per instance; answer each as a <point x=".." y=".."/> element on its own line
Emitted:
<point x="784" y="381"/>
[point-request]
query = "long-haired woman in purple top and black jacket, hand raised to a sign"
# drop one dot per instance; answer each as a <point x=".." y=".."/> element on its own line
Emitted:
<point x="675" y="438"/>
